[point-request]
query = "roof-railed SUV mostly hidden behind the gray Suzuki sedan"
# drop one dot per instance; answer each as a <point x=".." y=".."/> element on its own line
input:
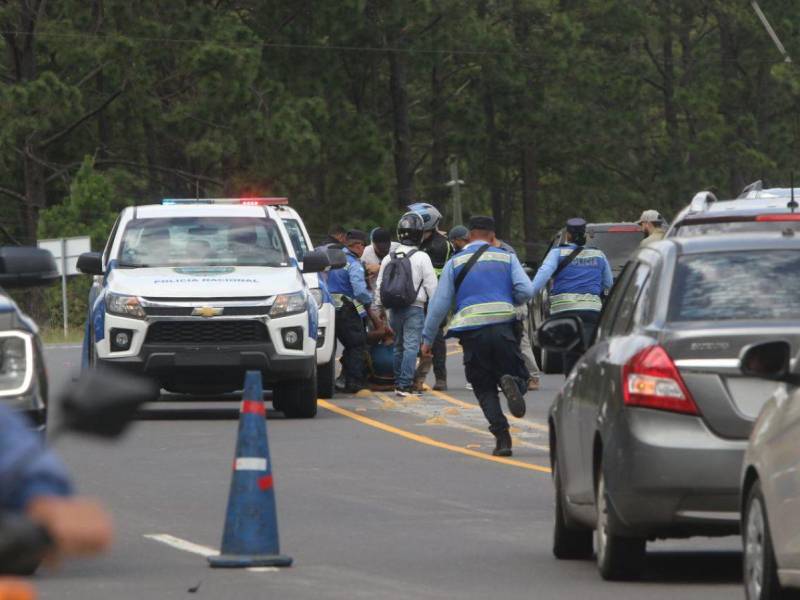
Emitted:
<point x="756" y="209"/>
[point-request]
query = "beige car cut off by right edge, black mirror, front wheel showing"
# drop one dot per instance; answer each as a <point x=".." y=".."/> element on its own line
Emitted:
<point x="771" y="479"/>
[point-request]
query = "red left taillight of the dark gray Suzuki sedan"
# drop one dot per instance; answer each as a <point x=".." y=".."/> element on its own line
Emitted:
<point x="650" y="379"/>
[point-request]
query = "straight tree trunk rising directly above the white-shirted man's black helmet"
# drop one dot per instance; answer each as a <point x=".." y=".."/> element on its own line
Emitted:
<point x="402" y="130"/>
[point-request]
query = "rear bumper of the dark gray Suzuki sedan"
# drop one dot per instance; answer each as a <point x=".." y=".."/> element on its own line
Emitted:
<point x="668" y="475"/>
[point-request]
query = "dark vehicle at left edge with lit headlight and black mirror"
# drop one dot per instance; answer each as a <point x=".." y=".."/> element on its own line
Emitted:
<point x="23" y="380"/>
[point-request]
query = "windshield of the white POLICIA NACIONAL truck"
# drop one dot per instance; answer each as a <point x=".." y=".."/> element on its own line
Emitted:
<point x="209" y="241"/>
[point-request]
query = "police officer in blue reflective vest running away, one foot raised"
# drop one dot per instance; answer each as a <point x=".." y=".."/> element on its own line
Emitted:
<point x="484" y="283"/>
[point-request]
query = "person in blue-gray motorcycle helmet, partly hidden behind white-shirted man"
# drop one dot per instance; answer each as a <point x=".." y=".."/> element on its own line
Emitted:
<point x="436" y="245"/>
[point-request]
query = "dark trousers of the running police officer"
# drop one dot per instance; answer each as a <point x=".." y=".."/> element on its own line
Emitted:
<point x="489" y="353"/>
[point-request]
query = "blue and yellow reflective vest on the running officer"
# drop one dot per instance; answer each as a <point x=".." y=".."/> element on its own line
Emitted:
<point x="486" y="296"/>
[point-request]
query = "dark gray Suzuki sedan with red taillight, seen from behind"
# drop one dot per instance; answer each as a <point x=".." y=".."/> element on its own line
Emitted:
<point x="648" y="433"/>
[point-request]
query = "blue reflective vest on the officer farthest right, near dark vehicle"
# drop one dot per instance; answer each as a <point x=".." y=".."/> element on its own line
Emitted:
<point x="580" y="284"/>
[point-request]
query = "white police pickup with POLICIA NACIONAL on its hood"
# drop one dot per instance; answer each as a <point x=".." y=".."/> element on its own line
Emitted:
<point x="195" y="292"/>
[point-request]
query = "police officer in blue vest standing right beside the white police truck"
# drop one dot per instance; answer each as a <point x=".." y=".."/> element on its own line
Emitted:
<point x="351" y="297"/>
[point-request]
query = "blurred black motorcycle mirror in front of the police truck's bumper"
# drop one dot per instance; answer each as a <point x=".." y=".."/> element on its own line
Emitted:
<point x="103" y="402"/>
